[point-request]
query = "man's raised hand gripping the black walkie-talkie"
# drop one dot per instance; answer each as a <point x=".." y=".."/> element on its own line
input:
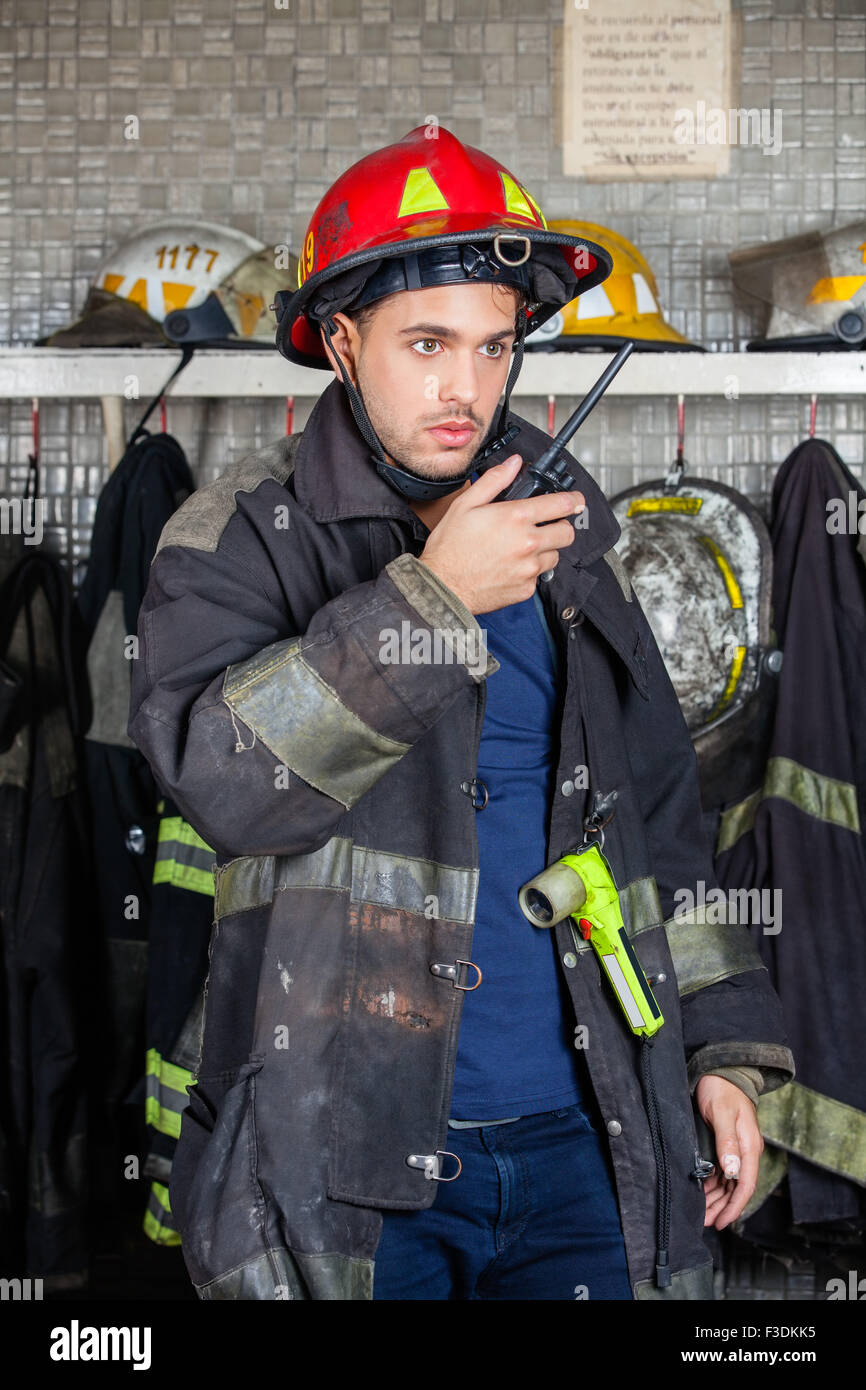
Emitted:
<point x="491" y="554"/>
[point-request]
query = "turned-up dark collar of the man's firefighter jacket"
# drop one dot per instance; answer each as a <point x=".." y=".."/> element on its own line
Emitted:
<point x="336" y="477"/>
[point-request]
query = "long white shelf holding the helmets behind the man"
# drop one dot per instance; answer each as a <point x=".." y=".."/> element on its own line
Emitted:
<point x="140" y="373"/>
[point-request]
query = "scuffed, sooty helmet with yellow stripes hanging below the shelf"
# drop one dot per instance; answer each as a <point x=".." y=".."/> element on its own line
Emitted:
<point x="701" y="562"/>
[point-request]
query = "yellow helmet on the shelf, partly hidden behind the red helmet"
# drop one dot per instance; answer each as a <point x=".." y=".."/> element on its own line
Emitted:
<point x="625" y="309"/>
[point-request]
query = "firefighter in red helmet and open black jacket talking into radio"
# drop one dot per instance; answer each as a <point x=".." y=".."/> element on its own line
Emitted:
<point x="405" y="1089"/>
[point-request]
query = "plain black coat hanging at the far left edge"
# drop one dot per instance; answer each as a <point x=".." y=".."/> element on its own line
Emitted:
<point x="47" y="946"/>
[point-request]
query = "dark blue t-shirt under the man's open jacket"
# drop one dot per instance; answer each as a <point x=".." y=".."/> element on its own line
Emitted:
<point x="516" y="1047"/>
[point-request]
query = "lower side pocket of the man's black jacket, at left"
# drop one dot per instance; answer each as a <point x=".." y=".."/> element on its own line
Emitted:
<point x="216" y="1199"/>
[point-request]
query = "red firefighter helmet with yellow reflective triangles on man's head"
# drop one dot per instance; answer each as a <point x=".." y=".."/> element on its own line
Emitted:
<point x="427" y="191"/>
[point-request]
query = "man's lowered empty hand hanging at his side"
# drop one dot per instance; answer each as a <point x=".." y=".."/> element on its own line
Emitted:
<point x="739" y="1147"/>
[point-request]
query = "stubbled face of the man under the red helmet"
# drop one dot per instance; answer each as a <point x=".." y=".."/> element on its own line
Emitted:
<point x="433" y="358"/>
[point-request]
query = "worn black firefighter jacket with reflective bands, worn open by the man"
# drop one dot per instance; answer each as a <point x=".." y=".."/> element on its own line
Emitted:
<point x="333" y="787"/>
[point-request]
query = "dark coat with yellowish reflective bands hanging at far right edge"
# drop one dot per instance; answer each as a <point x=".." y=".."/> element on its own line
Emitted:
<point x="801" y="836"/>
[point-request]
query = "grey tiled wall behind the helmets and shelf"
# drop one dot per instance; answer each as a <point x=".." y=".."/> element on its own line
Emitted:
<point x="250" y="109"/>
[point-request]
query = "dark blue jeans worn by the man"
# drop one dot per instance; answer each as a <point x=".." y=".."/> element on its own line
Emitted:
<point x="533" y="1216"/>
